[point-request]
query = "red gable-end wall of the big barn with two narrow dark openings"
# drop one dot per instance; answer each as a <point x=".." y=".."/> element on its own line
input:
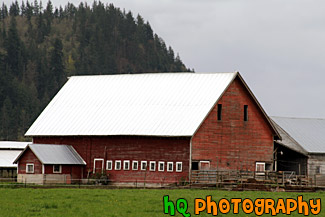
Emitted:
<point x="236" y="144"/>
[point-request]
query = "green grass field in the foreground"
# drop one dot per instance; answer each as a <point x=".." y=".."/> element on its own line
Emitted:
<point x="119" y="202"/>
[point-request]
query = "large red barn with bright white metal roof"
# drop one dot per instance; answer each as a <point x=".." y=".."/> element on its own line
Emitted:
<point x="158" y="127"/>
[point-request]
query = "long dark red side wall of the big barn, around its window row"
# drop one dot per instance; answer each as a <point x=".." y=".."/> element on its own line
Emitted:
<point x="130" y="148"/>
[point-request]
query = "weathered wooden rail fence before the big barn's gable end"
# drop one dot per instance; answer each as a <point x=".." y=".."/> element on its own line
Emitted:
<point x="255" y="180"/>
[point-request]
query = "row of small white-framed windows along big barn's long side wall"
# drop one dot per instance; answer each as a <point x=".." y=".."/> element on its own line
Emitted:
<point x="143" y="165"/>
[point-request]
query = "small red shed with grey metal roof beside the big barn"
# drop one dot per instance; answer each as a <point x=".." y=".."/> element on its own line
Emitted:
<point x="47" y="164"/>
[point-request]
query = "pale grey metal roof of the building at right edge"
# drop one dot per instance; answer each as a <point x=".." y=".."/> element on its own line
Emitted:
<point x="309" y="133"/>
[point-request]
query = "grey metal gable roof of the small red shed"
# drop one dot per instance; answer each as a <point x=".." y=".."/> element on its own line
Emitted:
<point x="55" y="154"/>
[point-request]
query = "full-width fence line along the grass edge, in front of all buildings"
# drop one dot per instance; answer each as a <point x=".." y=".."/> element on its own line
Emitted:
<point x="234" y="180"/>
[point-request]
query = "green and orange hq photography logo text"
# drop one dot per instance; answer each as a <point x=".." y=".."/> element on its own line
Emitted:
<point x="258" y="206"/>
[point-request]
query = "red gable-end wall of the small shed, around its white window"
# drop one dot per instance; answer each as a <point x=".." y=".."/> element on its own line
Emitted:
<point x="27" y="158"/>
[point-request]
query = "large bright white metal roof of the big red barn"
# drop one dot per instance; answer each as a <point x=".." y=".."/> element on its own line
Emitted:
<point x="164" y="104"/>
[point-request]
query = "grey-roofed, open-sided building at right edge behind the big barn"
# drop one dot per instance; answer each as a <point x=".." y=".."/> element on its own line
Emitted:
<point x="305" y="140"/>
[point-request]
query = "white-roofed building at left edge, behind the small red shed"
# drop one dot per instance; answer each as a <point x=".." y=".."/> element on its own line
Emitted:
<point x="9" y="150"/>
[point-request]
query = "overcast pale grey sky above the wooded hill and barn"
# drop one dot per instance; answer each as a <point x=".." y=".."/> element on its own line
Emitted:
<point x="278" y="46"/>
